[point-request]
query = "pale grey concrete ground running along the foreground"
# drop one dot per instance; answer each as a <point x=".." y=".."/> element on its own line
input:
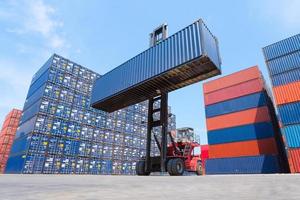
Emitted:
<point x="44" y="187"/>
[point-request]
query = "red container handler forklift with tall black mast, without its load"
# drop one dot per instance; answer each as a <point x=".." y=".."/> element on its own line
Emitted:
<point x="176" y="157"/>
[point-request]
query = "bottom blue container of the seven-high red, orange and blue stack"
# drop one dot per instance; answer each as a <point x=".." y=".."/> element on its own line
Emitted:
<point x="243" y="165"/>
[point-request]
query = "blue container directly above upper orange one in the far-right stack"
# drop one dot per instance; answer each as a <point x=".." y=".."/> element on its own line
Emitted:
<point x="286" y="77"/>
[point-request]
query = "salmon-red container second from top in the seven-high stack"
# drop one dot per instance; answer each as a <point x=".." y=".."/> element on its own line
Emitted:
<point x="242" y="89"/>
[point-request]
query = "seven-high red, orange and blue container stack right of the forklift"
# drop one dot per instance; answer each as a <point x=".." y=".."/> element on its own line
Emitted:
<point x="241" y="129"/>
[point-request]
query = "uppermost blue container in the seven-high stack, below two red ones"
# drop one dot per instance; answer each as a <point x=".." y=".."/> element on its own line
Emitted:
<point x="236" y="105"/>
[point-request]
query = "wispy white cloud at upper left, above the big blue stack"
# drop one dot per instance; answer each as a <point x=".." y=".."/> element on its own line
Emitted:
<point x="35" y="17"/>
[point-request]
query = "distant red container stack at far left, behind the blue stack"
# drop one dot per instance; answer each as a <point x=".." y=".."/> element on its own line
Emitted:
<point x="7" y="135"/>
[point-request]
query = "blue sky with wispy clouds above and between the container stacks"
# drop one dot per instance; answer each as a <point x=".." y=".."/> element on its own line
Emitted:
<point x="103" y="34"/>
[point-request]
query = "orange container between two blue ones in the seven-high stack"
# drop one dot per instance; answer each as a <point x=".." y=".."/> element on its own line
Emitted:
<point x="250" y="116"/>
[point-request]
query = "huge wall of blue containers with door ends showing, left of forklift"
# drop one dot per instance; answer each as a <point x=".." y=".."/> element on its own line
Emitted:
<point x="59" y="133"/>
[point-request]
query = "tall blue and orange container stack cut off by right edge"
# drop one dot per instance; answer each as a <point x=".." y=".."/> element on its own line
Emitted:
<point x="283" y="61"/>
